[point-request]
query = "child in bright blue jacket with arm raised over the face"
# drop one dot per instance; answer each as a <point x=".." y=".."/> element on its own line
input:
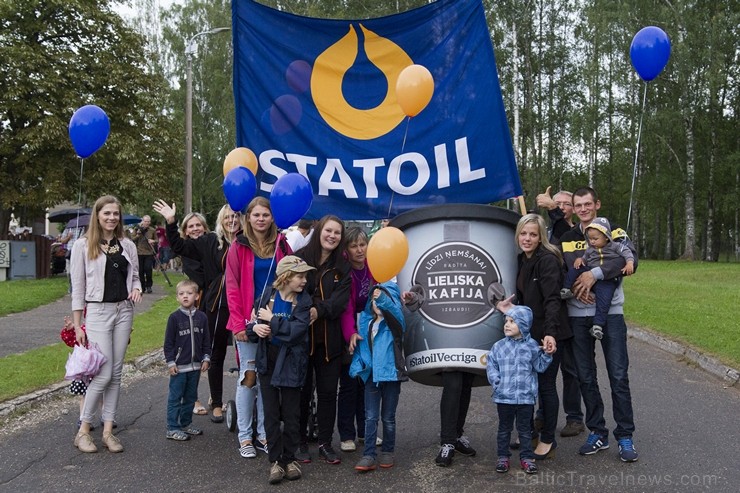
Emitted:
<point x="378" y="360"/>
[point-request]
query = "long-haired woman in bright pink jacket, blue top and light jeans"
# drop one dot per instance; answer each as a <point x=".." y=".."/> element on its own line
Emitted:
<point x="250" y="270"/>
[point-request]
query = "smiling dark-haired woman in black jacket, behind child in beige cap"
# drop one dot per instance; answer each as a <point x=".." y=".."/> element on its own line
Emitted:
<point x="329" y="286"/>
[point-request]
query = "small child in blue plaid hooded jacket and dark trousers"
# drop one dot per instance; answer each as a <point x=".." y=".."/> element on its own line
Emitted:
<point x="512" y="367"/>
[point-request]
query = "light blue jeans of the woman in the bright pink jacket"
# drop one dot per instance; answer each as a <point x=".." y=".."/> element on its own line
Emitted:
<point x="245" y="397"/>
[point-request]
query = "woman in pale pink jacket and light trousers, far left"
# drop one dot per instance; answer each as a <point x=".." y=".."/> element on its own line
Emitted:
<point x="105" y="279"/>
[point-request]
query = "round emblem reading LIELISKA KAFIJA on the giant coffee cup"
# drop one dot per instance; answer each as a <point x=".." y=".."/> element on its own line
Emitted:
<point x="455" y="277"/>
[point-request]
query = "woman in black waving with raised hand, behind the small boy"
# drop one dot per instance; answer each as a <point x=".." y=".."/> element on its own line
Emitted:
<point x="210" y="250"/>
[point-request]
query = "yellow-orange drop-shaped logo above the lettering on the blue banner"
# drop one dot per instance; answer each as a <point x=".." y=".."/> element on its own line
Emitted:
<point x="327" y="76"/>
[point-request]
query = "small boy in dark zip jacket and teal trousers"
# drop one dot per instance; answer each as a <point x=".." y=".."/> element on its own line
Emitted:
<point x="187" y="350"/>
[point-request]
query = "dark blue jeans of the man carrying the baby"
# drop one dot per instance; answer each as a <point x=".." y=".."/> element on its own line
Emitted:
<point x="614" y="346"/>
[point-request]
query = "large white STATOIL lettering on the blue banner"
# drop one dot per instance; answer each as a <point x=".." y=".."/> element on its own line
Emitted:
<point x="334" y="176"/>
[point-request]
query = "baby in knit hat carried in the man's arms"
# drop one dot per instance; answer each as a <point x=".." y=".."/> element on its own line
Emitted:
<point x="601" y="250"/>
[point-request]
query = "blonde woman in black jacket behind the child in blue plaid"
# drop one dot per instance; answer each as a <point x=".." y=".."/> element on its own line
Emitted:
<point x="538" y="284"/>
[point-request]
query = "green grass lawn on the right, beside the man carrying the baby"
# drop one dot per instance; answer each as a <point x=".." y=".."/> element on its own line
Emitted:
<point x="690" y="302"/>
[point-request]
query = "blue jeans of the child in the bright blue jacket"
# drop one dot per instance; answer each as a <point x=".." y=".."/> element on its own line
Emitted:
<point x="381" y="400"/>
